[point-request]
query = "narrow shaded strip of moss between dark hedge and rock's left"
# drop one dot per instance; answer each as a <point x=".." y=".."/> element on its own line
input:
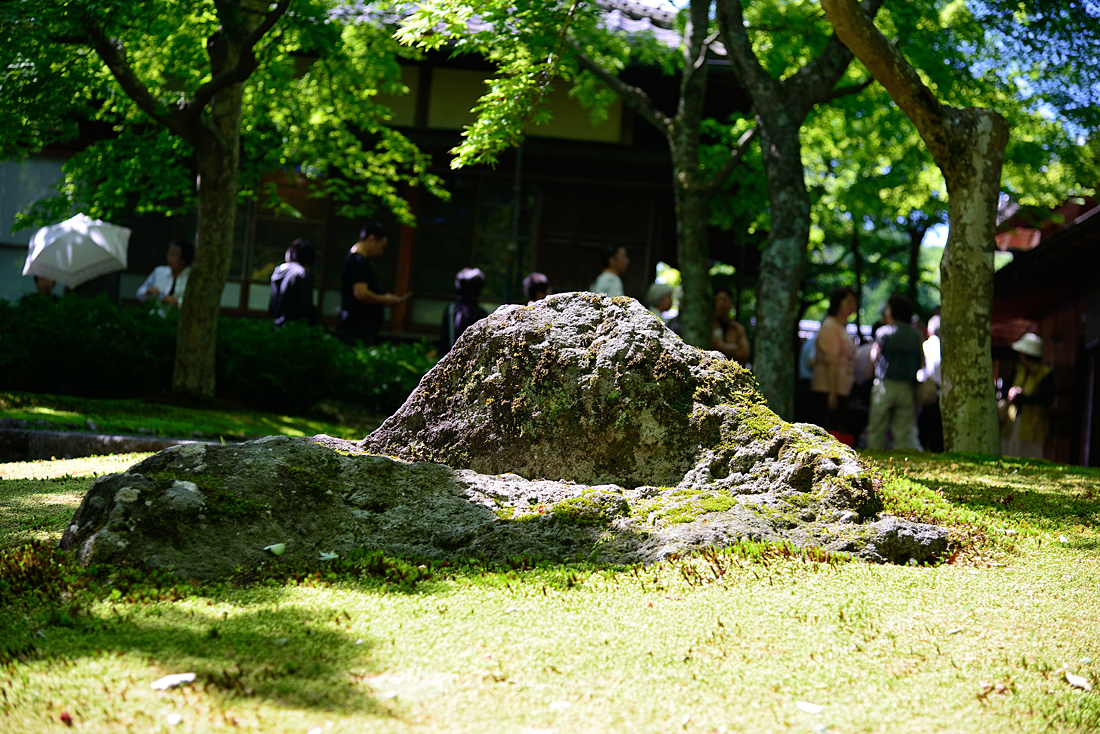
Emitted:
<point x="136" y="415"/>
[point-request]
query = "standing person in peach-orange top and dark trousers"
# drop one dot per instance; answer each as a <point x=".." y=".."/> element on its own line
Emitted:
<point x="835" y="364"/>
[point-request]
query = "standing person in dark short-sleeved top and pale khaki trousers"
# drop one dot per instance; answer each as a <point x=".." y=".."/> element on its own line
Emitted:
<point x="898" y="356"/>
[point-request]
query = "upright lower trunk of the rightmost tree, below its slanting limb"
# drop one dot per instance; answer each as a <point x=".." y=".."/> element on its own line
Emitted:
<point x="969" y="403"/>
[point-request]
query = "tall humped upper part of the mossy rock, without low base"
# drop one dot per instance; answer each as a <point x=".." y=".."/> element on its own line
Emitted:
<point x="588" y="389"/>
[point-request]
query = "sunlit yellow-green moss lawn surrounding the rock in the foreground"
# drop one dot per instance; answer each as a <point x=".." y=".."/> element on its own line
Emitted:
<point x="720" y="642"/>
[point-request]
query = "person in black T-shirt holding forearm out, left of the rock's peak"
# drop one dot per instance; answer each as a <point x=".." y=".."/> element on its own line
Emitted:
<point x="361" y="301"/>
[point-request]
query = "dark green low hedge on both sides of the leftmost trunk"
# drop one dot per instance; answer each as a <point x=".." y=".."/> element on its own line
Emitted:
<point x="124" y="353"/>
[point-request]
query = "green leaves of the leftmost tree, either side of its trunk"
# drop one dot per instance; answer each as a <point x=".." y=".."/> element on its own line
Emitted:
<point x="310" y="105"/>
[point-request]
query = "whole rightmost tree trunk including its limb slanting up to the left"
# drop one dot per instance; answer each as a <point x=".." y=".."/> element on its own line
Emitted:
<point x="969" y="146"/>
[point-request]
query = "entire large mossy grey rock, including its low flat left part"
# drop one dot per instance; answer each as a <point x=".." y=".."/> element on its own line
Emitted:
<point x="577" y="429"/>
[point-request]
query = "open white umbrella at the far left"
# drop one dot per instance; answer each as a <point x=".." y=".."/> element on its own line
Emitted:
<point x="78" y="250"/>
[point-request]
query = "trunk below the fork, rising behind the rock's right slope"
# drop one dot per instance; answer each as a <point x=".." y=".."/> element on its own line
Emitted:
<point x="782" y="264"/>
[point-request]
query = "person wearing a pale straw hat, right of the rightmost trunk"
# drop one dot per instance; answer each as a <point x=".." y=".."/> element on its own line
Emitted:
<point x="1026" y="411"/>
